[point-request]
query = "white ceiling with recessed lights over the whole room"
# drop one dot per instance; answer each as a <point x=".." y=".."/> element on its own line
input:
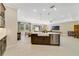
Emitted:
<point x="63" y="12"/>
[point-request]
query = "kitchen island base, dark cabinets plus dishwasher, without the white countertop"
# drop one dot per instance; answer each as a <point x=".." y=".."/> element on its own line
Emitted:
<point x="45" y="40"/>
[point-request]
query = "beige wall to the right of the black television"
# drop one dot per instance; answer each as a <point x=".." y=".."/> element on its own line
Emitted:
<point x="67" y="26"/>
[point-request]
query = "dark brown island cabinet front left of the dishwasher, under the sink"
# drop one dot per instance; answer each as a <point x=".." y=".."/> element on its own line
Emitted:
<point x="35" y="39"/>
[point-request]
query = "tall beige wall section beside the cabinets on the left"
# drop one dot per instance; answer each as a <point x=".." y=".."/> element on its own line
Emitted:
<point x="11" y="25"/>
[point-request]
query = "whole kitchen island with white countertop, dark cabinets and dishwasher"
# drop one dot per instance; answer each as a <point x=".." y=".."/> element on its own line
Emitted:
<point x="49" y="38"/>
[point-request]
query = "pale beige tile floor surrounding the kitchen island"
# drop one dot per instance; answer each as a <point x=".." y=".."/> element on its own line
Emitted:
<point x="69" y="47"/>
